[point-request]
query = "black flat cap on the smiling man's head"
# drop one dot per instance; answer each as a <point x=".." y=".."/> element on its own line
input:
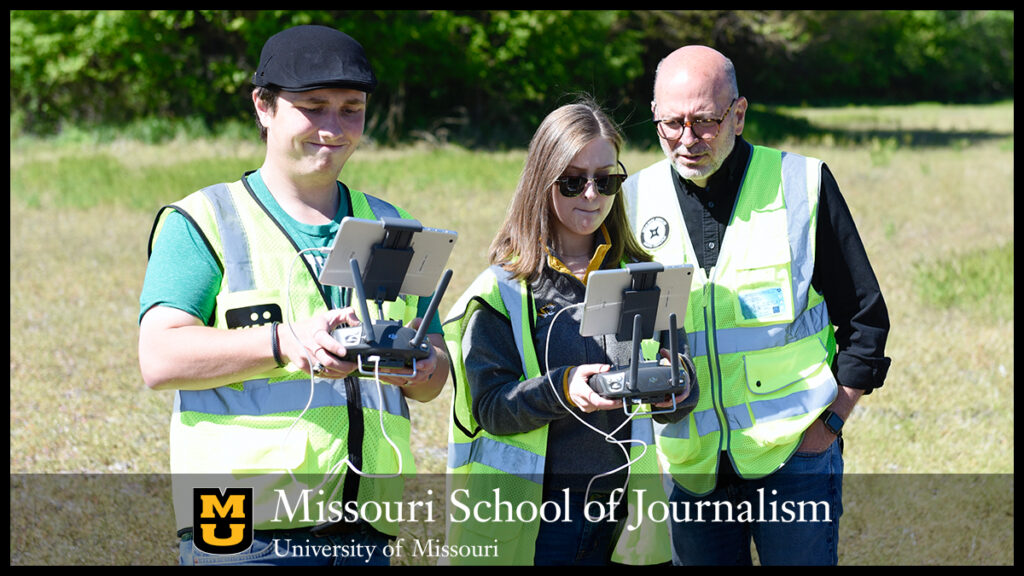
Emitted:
<point x="310" y="57"/>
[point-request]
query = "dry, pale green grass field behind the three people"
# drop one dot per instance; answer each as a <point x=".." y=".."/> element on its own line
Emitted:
<point x="929" y="458"/>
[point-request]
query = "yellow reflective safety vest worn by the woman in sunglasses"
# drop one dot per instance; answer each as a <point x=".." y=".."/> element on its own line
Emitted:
<point x="481" y="463"/>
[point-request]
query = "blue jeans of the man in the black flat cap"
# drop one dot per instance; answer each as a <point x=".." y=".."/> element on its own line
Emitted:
<point x="298" y="548"/>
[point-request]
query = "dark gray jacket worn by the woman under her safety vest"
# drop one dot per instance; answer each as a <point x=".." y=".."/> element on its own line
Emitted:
<point x="504" y="405"/>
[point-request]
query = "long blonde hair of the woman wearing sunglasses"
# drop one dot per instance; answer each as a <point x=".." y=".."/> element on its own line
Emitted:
<point x="520" y="245"/>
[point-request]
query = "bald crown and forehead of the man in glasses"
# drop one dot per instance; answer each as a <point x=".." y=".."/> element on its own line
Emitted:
<point x="703" y="69"/>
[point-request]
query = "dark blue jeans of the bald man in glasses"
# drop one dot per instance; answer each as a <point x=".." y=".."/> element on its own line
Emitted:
<point x="792" y="516"/>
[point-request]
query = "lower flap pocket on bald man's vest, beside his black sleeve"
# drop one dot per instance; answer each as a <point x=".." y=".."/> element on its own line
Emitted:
<point x="773" y="371"/>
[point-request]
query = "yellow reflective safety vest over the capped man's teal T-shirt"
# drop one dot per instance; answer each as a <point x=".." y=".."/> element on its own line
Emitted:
<point x="279" y="431"/>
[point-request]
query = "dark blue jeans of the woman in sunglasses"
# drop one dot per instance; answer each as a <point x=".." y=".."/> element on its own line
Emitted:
<point x="579" y="543"/>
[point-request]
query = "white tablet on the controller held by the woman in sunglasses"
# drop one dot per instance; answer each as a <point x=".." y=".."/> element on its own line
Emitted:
<point x="606" y="289"/>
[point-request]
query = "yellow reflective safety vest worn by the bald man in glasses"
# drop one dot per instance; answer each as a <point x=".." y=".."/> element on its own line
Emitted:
<point x="760" y="336"/>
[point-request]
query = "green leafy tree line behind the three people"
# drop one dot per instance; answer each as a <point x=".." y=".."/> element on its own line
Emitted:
<point x="487" y="77"/>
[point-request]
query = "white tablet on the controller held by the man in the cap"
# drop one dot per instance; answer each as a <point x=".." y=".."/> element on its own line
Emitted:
<point x="357" y="239"/>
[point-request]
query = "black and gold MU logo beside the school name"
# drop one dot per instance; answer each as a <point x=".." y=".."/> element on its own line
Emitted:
<point x="223" y="522"/>
